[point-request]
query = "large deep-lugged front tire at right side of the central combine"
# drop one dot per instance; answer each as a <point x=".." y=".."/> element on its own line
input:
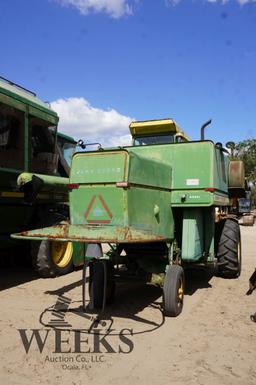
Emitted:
<point x="229" y="250"/>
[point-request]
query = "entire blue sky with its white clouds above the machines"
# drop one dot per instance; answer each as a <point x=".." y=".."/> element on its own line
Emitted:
<point x="102" y="63"/>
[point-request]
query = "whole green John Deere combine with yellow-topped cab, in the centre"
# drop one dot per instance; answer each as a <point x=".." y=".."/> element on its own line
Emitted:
<point x="162" y="204"/>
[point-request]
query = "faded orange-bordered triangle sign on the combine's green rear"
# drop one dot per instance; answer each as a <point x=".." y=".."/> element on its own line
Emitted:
<point x="98" y="211"/>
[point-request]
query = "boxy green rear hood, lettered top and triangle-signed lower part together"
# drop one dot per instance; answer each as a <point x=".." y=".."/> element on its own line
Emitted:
<point x="99" y="201"/>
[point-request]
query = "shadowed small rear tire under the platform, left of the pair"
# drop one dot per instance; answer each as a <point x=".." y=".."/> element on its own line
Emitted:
<point x="96" y="284"/>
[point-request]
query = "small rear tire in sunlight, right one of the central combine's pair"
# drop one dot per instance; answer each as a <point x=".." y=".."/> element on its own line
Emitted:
<point x="174" y="280"/>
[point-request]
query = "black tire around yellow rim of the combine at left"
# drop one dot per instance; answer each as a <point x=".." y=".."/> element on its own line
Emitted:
<point x="41" y="252"/>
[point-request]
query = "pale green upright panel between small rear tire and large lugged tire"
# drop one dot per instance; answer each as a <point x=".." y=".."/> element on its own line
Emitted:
<point x="192" y="235"/>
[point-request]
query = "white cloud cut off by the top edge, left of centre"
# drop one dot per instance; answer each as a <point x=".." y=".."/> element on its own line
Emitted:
<point x="114" y="8"/>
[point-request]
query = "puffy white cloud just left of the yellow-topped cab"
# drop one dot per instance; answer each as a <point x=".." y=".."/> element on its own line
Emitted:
<point x="78" y="118"/>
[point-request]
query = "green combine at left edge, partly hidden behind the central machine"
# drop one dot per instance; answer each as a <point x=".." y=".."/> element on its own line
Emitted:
<point x="30" y="144"/>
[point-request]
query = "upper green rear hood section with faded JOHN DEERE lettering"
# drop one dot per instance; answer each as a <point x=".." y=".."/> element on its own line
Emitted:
<point x="119" y="166"/>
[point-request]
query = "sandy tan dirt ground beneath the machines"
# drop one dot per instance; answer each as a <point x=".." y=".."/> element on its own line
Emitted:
<point x="212" y="342"/>
